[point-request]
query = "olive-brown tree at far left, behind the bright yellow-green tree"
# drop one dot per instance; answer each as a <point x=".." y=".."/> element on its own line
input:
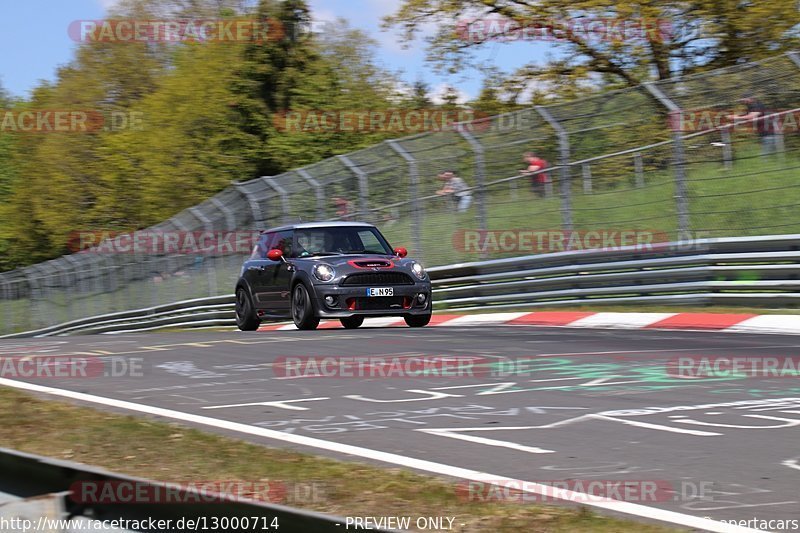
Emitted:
<point x="58" y="185"/>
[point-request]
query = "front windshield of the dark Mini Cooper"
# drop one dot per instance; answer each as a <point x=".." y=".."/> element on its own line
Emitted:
<point x="340" y="240"/>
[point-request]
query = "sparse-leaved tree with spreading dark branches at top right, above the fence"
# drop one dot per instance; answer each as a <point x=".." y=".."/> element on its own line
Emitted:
<point x="678" y="37"/>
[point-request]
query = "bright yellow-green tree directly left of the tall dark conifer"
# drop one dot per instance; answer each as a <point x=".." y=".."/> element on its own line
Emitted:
<point x="190" y="143"/>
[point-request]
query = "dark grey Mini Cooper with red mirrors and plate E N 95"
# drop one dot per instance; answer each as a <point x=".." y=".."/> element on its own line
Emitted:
<point x="344" y="270"/>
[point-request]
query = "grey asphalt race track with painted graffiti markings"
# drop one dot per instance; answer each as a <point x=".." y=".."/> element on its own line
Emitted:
<point x="584" y="405"/>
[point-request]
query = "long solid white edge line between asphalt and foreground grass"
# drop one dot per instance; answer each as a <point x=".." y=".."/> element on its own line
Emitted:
<point x="396" y="459"/>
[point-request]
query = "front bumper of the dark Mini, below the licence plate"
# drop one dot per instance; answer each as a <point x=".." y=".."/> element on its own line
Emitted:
<point x="352" y="301"/>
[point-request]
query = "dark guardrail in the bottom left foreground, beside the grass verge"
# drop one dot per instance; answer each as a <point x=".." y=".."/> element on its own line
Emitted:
<point x="46" y="486"/>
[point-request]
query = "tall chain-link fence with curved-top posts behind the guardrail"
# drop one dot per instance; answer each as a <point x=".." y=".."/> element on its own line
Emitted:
<point x="618" y="162"/>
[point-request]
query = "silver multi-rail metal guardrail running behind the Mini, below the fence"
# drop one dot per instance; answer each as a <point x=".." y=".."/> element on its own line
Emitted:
<point x="755" y="271"/>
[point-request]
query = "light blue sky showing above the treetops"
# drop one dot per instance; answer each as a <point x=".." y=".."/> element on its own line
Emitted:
<point x="30" y="56"/>
